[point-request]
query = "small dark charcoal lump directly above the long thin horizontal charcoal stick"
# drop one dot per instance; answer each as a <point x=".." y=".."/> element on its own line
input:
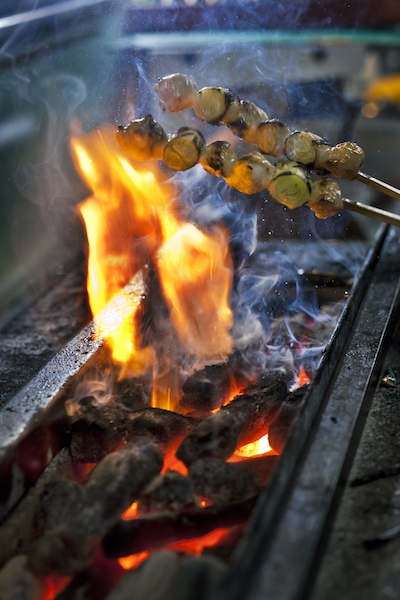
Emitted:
<point x="168" y="492"/>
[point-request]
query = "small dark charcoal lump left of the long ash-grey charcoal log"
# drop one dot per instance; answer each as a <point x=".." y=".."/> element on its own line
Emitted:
<point x="53" y="504"/>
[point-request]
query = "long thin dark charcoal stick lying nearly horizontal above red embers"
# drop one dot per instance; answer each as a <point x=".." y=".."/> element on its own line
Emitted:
<point x="147" y="533"/>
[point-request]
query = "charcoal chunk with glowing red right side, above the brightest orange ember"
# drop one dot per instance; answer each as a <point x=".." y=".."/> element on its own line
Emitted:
<point x="244" y="420"/>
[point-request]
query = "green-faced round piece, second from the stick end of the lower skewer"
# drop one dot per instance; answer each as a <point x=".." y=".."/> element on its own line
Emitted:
<point x="291" y="184"/>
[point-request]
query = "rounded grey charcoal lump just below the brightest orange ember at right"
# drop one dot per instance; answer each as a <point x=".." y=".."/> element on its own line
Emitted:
<point x="222" y="482"/>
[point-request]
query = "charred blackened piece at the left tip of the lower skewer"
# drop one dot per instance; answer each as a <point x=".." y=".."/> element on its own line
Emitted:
<point x="142" y="139"/>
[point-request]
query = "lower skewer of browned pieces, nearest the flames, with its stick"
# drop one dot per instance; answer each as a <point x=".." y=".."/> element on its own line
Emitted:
<point x="288" y="182"/>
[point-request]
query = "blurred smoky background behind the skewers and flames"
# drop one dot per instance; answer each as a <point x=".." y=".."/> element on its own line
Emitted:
<point x="331" y="67"/>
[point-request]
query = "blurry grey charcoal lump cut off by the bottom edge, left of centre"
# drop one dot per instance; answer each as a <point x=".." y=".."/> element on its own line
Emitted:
<point x="150" y="581"/>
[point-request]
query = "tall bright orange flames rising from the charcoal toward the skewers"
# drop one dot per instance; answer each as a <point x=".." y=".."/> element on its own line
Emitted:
<point x="131" y="221"/>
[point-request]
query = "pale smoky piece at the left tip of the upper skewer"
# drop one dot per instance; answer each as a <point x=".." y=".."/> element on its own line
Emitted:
<point x="176" y="92"/>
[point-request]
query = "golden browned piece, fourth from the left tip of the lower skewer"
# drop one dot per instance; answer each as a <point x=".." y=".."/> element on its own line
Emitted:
<point x="251" y="173"/>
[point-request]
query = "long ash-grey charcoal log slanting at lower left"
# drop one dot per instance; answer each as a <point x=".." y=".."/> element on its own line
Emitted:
<point x="111" y="488"/>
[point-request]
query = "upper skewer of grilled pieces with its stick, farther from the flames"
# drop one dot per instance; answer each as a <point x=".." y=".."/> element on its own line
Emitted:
<point x="221" y="106"/>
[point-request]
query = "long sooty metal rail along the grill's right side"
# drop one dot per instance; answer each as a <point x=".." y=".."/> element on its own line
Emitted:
<point x="277" y="556"/>
